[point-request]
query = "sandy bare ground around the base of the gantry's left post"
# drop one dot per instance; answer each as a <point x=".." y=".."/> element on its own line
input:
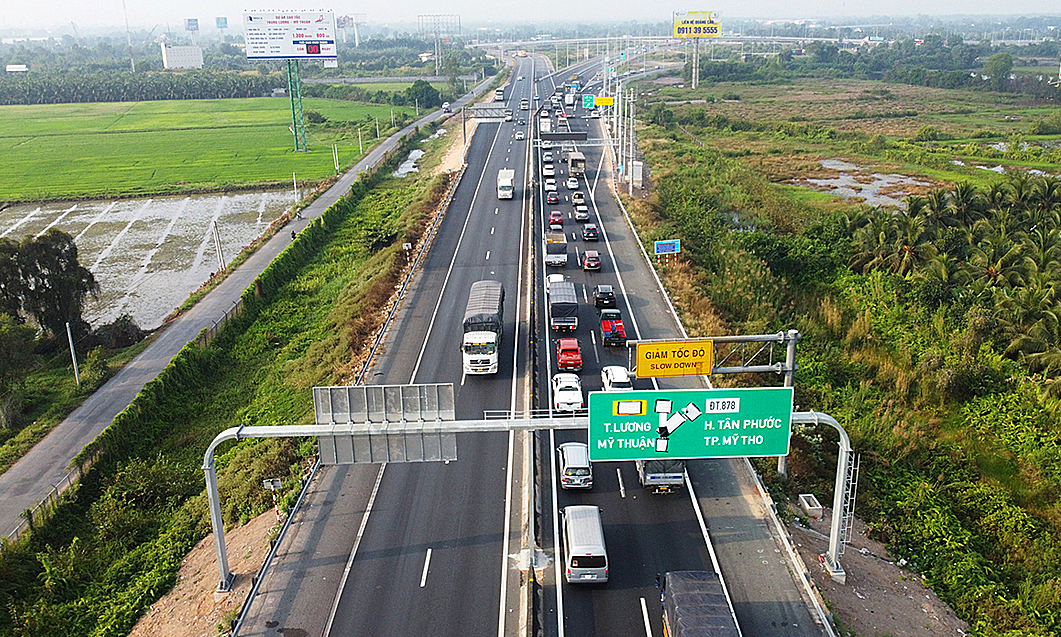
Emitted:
<point x="190" y="609"/>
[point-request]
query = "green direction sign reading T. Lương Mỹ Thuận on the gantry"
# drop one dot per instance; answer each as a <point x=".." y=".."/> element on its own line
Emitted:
<point x="680" y="424"/>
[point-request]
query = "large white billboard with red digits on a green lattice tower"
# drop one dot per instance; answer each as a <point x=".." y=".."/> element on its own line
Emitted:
<point x="290" y="36"/>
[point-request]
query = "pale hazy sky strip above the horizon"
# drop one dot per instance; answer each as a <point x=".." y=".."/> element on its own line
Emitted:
<point x="170" y="16"/>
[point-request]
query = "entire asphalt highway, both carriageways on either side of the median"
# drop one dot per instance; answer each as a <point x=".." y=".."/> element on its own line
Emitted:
<point x="434" y="549"/>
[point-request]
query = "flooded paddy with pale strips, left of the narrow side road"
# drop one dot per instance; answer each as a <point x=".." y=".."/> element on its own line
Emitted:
<point x="149" y="255"/>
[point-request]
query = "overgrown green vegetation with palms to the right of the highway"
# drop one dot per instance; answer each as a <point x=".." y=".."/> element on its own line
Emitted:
<point x="927" y="334"/>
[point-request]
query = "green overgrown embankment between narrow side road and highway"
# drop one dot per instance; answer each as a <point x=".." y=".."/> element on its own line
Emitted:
<point x="115" y="544"/>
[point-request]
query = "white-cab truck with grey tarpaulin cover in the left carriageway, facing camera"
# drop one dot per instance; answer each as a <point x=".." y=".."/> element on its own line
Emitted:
<point x="483" y="326"/>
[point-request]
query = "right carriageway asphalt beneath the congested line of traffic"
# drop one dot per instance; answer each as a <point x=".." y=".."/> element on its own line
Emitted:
<point x="647" y="535"/>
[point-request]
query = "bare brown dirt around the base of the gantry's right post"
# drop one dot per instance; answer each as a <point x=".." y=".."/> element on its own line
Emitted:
<point x="880" y="598"/>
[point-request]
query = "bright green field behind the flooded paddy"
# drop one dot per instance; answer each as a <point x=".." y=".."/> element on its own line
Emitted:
<point x="146" y="148"/>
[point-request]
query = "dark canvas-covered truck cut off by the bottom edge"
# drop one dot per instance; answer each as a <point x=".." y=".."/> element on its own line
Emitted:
<point x="695" y="605"/>
